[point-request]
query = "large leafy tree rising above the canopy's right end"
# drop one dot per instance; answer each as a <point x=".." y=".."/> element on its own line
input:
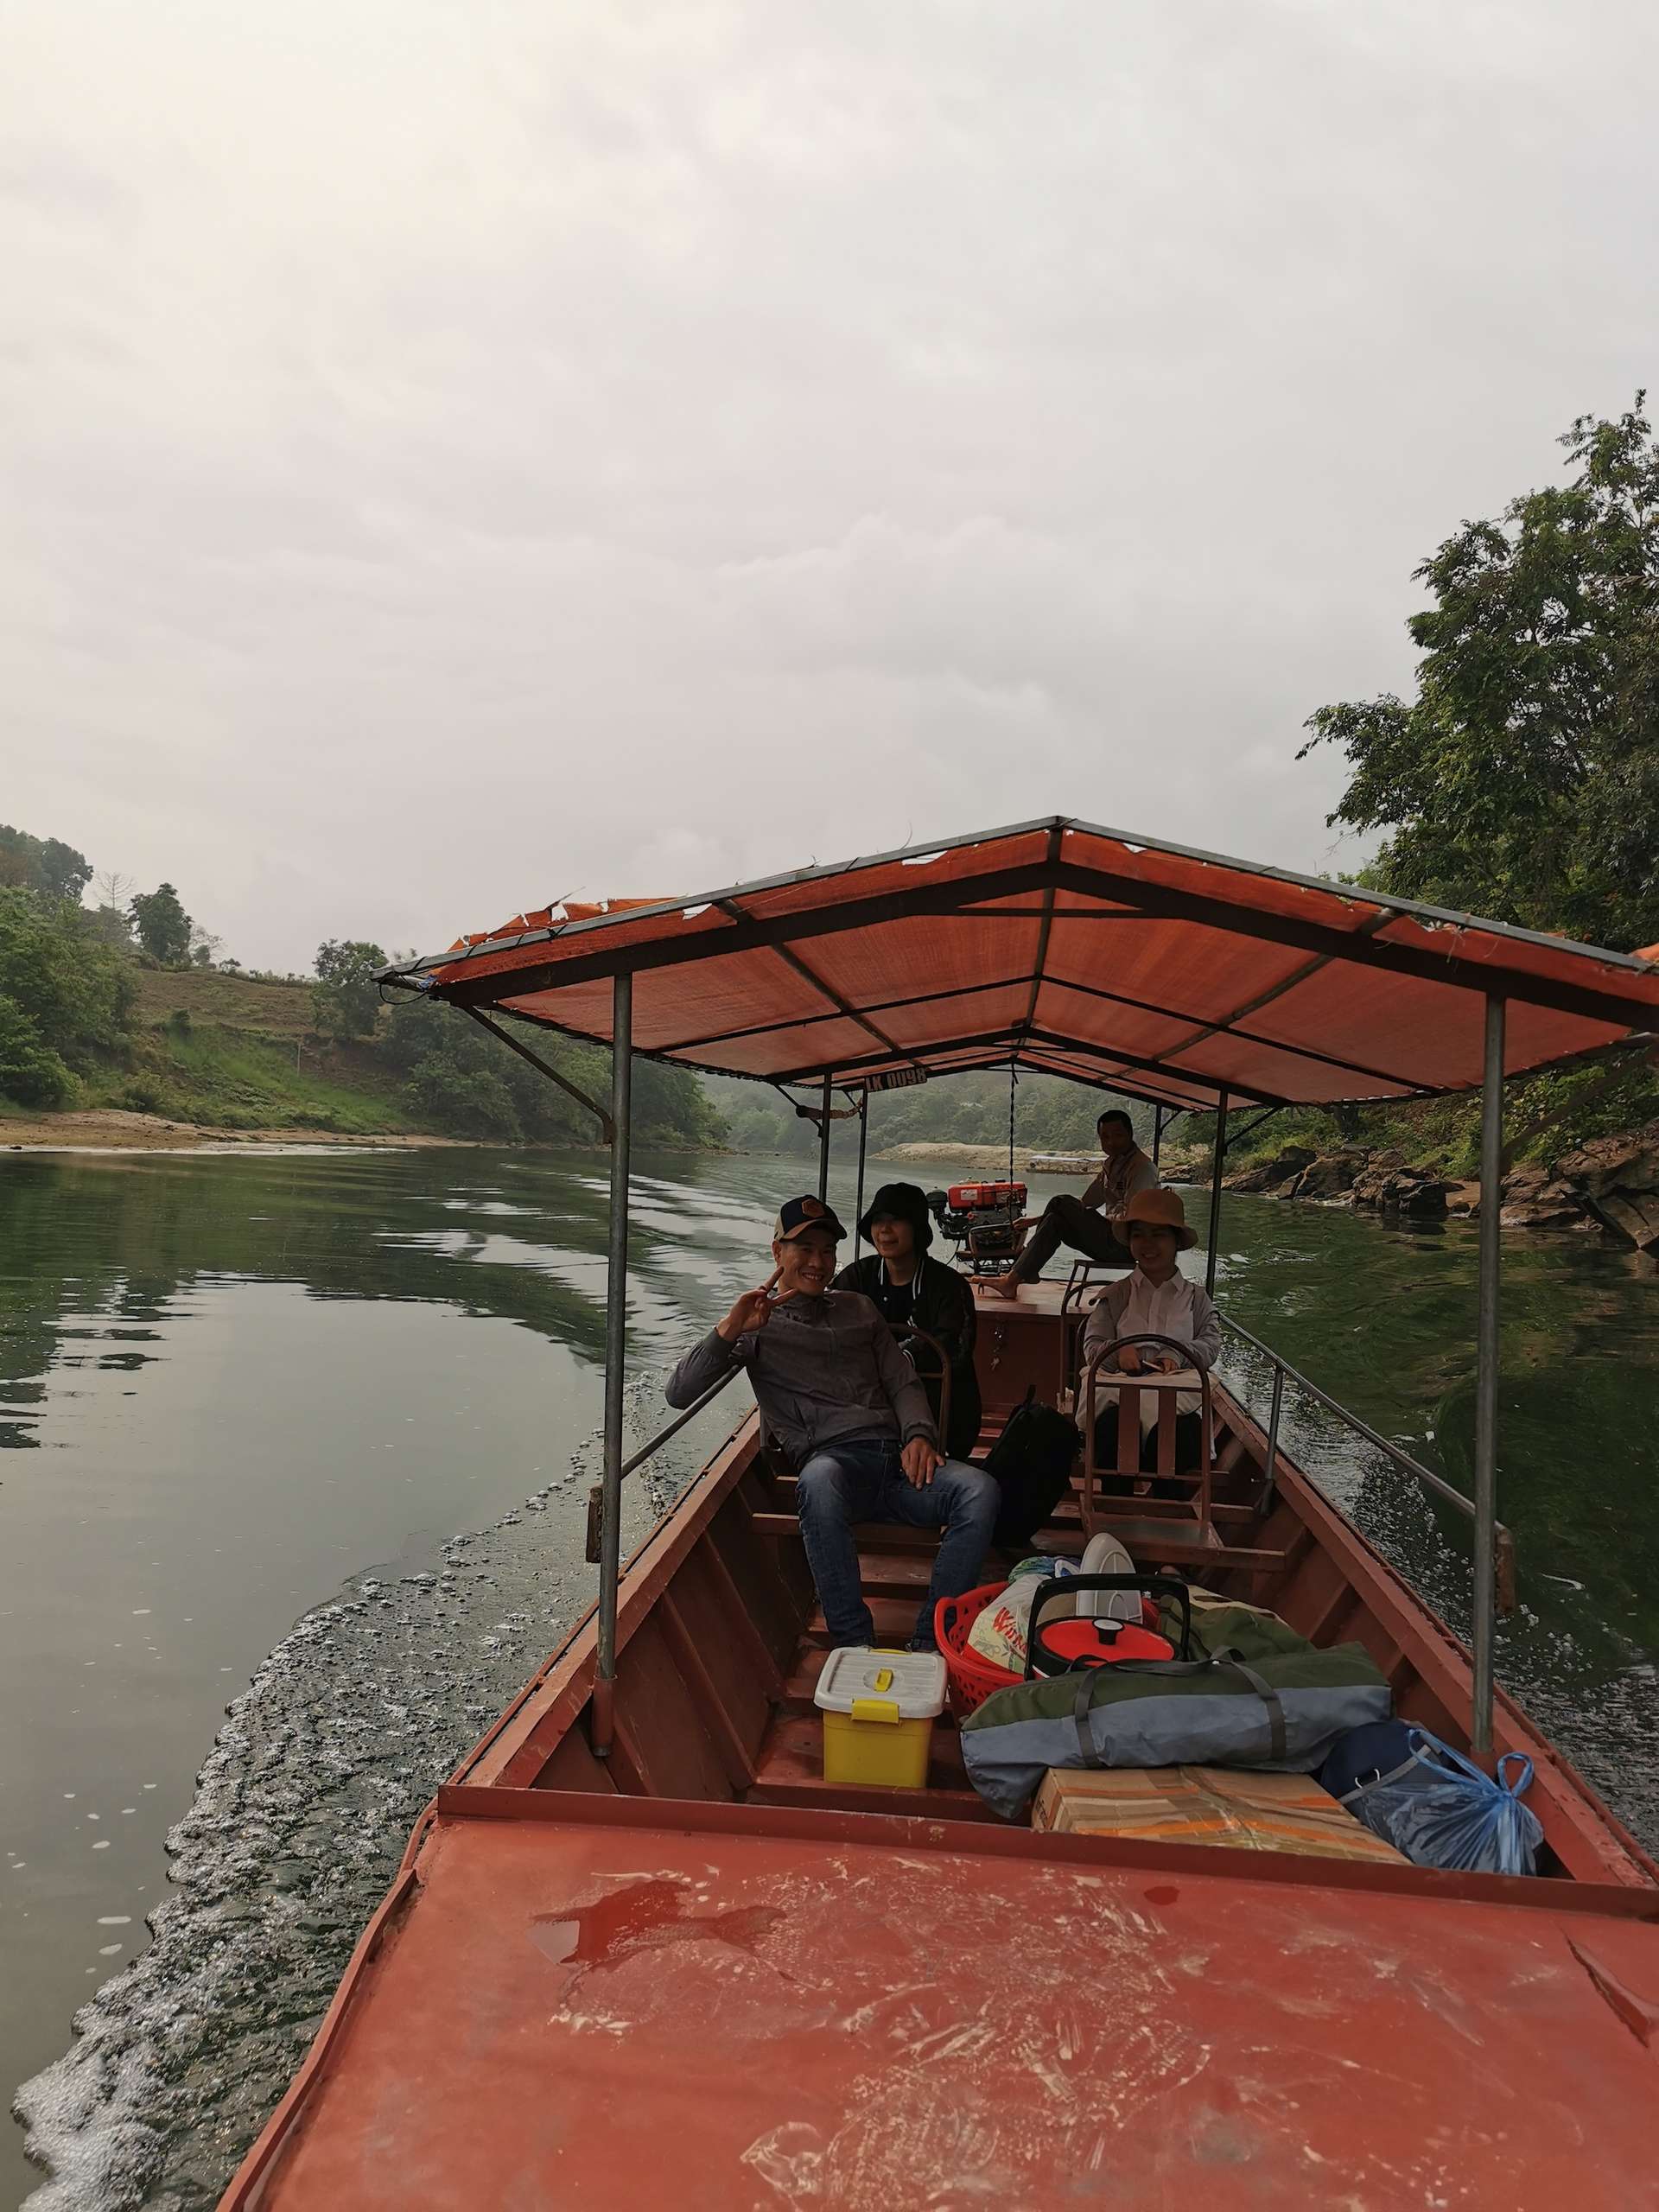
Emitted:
<point x="1523" y="780"/>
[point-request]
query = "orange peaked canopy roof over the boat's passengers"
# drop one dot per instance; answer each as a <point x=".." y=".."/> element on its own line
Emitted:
<point x="1085" y="952"/>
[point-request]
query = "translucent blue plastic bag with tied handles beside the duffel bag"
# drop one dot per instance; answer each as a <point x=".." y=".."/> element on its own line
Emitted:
<point x="1441" y="1811"/>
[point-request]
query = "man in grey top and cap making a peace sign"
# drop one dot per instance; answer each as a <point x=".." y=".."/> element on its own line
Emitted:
<point x="848" y="1410"/>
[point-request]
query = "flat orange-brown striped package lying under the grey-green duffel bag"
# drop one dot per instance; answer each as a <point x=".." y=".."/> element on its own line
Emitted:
<point x="1235" y="1808"/>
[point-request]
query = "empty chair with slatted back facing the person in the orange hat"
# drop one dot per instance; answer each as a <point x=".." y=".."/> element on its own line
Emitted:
<point x="1178" y="1530"/>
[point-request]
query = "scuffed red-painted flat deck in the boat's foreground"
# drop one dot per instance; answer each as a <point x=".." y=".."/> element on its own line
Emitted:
<point x="620" y="2003"/>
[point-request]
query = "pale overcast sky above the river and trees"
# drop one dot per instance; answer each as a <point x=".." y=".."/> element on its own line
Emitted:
<point x="466" y="455"/>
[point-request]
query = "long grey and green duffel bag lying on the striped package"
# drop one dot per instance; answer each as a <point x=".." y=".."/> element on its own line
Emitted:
<point x="1260" y="1698"/>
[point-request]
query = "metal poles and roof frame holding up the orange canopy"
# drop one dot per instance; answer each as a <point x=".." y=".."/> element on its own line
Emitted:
<point x="463" y="979"/>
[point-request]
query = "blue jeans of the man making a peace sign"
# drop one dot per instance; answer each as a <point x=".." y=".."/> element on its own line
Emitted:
<point x="862" y="1479"/>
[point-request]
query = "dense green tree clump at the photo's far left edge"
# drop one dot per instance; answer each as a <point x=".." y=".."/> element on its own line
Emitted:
<point x="65" y="997"/>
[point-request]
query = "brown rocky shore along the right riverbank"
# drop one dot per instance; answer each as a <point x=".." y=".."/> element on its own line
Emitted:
<point x="1607" y="1187"/>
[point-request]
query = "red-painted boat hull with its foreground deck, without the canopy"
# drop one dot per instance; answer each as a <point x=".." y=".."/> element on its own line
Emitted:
<point x="638" y="1948"/>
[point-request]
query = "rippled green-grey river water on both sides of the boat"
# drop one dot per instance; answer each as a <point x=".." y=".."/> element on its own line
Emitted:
<point x="293" y="1472"/>
